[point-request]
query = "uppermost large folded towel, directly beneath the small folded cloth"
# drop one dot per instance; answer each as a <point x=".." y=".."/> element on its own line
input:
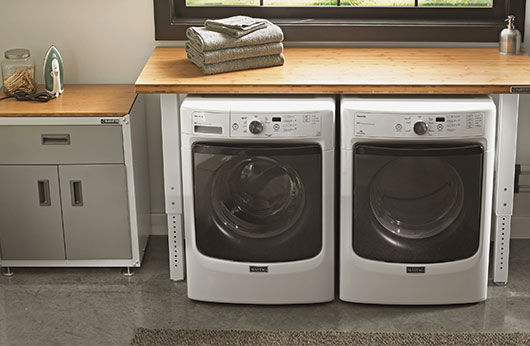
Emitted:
<point x="208" y="40"/>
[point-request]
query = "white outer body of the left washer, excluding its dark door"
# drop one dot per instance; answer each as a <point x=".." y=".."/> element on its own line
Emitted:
<point x="285" y="120"/>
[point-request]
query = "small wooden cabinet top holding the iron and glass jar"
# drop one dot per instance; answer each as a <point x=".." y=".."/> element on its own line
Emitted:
<point x="77" y="100"/>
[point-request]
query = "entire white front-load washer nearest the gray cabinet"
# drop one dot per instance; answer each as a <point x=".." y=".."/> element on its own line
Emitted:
<point x="258" y="198"/>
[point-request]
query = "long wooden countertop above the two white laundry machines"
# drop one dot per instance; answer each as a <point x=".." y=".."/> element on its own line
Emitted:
<point x="347" y="70"/>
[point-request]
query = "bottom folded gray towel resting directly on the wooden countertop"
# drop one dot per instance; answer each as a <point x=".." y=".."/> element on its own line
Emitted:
<point x="239" y="64"/>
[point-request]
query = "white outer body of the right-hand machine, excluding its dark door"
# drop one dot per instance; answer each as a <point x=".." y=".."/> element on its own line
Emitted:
<point x="391" y="120"/>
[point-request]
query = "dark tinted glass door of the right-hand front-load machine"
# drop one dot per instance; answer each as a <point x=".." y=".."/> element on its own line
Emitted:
<point x="417" y="204"/>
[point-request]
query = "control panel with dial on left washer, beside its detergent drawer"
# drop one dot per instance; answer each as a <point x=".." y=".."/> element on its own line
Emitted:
<point x="276" y="125"/>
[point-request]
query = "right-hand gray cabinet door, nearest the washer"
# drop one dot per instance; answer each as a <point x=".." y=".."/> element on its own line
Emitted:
<point x="95" y="212"/>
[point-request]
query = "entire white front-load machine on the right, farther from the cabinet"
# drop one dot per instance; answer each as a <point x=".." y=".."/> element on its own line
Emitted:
<point x="416" y="199"/>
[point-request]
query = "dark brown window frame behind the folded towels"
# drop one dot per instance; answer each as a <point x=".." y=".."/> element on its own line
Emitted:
<point x="333" y="23"/>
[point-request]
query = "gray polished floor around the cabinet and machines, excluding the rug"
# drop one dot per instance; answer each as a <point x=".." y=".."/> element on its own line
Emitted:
<point x="100" y="306"/>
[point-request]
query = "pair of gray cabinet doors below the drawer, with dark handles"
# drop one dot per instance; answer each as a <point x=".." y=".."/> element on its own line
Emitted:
<point x="64" y="212"/>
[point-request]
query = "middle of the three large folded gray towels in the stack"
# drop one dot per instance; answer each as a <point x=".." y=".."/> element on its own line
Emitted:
<point x="220" y="55"/>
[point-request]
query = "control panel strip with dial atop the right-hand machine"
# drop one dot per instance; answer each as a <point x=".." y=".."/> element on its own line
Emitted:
<point x="418" y="125"/>
